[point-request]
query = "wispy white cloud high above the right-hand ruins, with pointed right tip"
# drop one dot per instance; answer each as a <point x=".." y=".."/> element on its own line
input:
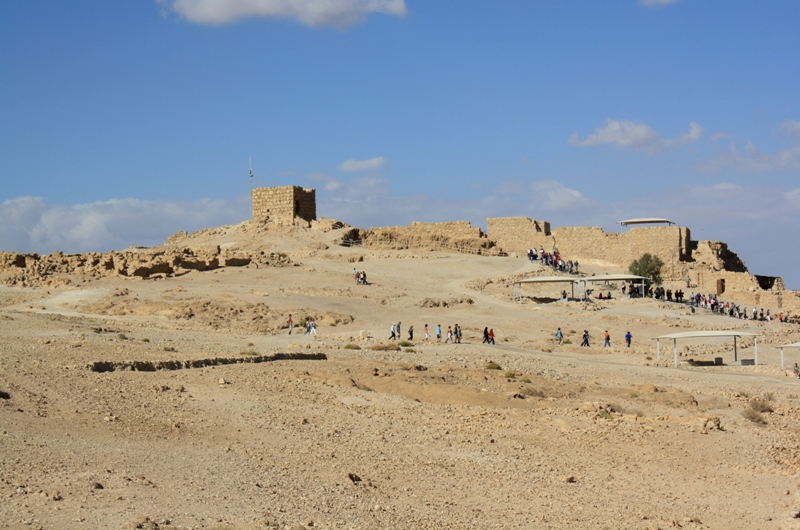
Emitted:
<point x="635" y="135"/>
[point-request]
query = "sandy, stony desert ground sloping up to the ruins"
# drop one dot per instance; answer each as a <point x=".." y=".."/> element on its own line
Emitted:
<point x="180" y="401"/>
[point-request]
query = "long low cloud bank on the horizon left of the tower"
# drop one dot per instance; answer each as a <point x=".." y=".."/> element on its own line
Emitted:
<point x="31" y="225"/>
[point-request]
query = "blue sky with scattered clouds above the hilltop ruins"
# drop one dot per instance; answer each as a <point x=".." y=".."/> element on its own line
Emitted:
<point x="124" y="122"/>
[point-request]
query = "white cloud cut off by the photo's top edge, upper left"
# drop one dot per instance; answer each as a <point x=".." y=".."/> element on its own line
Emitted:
<point x="337" y="13"/>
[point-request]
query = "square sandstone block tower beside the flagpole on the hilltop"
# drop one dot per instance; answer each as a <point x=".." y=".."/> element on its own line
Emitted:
<point x="285" y="205"/>
